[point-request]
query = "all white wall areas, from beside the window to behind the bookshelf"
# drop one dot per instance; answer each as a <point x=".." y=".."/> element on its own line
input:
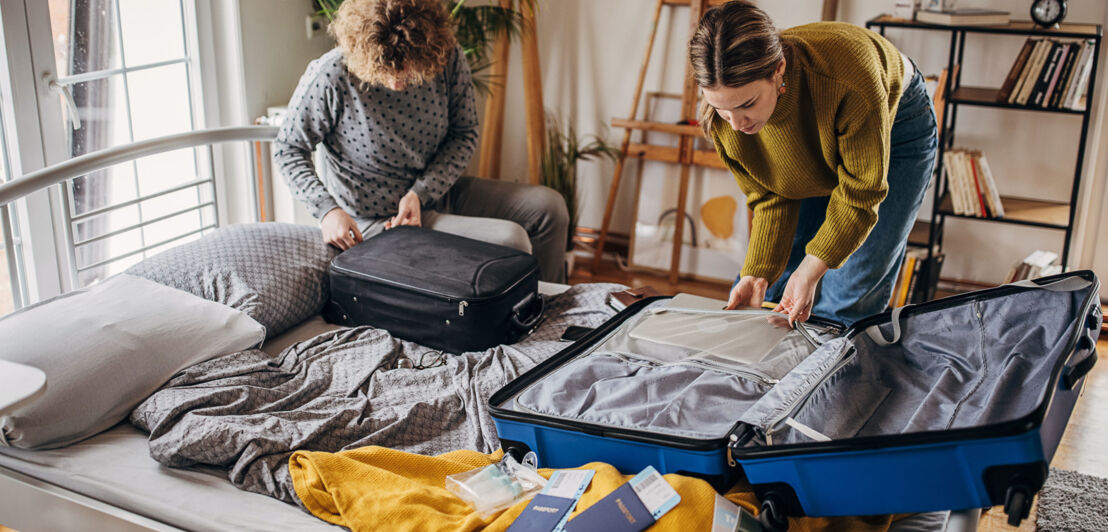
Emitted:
<point x="591" y="53"/>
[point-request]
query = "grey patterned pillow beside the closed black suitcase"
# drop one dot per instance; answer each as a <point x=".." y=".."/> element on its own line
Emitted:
<point x="275" y="273"/>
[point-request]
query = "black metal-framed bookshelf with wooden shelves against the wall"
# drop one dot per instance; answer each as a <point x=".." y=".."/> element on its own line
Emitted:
<point x="1019" y="211"/>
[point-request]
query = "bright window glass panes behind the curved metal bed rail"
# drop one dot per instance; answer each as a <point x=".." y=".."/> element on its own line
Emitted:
<point x="127" y="75"/>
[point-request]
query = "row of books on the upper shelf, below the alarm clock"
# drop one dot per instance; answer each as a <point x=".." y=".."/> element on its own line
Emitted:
<point x="1050" y="74"/>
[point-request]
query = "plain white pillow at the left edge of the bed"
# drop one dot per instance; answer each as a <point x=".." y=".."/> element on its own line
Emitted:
<point x="107" y="349"/>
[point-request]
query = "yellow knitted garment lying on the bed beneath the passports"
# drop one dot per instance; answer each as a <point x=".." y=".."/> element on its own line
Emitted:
<point x="374" y="488"/>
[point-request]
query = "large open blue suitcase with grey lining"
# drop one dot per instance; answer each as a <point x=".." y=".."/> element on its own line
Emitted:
<point x="950" y="405"/>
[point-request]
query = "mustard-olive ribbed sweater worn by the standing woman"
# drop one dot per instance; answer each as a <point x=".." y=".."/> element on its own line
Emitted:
<point x="828" y="137"/>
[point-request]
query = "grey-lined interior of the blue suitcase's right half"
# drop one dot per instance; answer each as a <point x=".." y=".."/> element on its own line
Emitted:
<point x="973" y="365"/>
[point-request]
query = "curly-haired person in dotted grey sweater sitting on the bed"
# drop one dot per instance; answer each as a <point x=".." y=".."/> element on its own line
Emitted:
<point x="394" y="112"/>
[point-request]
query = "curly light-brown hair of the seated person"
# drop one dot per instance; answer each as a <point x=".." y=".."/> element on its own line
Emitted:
<point x="382" y="39"/>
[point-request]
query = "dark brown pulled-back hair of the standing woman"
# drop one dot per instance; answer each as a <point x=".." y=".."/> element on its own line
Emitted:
<point x="734" y="45"/>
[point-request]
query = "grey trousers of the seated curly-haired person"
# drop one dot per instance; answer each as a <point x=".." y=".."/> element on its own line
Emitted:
<point x="527" y="218"/>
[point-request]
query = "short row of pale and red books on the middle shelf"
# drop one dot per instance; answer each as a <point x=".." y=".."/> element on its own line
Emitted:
<point x="971" y="186"/>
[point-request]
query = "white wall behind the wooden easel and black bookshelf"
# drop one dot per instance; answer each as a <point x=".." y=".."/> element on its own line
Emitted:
<point x="591" y="53"/>
